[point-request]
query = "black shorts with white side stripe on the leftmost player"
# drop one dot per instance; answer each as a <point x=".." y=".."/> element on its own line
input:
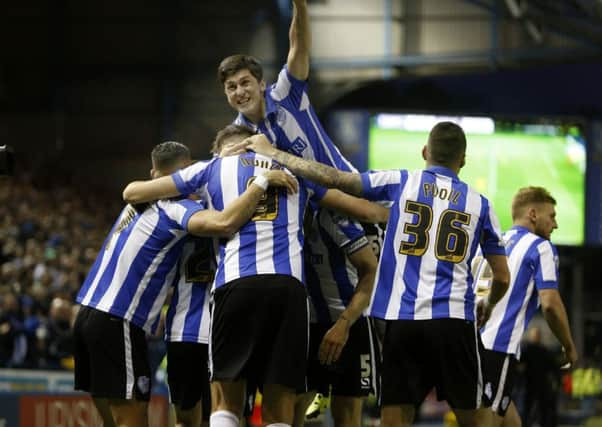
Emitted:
<point x="111" y="356"/>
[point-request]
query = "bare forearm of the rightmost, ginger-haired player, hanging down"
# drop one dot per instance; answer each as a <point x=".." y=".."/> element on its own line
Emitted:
<point x="555" y="314"/>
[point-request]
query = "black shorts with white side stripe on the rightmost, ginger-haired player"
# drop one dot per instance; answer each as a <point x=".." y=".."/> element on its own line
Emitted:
<point x="499" y="373"/>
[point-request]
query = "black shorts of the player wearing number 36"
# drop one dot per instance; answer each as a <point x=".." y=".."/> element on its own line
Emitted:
<point x="421" y="354"/>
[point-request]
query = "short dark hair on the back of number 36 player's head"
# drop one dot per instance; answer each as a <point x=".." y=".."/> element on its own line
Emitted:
<point x="446" y="144"/>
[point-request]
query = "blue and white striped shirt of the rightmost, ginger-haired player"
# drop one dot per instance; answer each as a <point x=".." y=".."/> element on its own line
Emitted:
<point x="533" y="264"/>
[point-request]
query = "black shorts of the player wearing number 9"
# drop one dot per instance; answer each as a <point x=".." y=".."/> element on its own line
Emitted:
<point x="259" y="331"/>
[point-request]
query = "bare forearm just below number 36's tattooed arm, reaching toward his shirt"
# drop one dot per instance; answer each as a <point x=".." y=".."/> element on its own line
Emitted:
<point x="359" y="209"/>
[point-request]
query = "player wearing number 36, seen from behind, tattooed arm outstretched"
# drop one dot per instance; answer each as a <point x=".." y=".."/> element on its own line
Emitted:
<point x="424" y="286"/>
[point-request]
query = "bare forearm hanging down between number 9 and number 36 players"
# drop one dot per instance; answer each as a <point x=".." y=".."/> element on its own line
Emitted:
<point x="336" y="337"/>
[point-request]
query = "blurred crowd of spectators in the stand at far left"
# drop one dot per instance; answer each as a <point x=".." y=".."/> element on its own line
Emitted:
<point x="50" y="234"/>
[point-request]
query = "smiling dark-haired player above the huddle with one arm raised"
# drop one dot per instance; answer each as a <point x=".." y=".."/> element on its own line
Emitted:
<point x="281" y="111"/>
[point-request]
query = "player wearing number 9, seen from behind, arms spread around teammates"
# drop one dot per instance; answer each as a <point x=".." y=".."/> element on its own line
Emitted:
<point x="259" y="327"/>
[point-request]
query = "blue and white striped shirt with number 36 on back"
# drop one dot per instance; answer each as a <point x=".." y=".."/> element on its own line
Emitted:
<point x="435" y="226"/>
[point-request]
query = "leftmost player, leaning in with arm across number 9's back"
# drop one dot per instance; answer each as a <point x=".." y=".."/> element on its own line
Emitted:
<point x="126" y="287"/>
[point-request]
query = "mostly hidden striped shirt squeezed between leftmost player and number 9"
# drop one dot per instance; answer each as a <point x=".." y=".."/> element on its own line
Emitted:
<point x="187" y="318"/>
